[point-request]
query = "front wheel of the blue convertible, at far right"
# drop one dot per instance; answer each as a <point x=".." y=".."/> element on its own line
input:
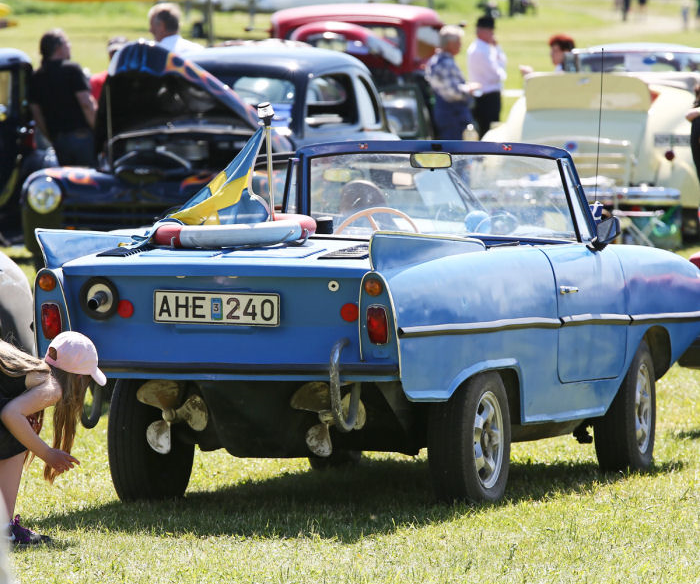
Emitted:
<point x="624" y="437"/>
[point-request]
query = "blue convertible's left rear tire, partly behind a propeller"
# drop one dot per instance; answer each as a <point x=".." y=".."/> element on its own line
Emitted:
<point x="138" y="471"/>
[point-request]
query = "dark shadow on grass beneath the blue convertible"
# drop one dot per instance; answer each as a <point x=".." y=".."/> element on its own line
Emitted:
<point x="377" y="497"/>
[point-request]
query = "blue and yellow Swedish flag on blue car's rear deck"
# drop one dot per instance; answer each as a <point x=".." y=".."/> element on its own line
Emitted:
<point x="225" y="190"/>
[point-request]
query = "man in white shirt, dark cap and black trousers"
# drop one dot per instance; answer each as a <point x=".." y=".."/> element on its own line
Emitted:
<point x="486" y="64"/>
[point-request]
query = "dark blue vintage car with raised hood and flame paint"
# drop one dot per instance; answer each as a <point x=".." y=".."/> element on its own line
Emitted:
<point x="165" y="125"/>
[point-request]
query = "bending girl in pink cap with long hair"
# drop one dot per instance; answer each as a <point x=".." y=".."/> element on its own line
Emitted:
<point x="27" y="386"/>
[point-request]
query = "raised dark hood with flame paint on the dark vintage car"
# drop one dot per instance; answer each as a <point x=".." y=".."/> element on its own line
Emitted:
<point x="148" y="86"/>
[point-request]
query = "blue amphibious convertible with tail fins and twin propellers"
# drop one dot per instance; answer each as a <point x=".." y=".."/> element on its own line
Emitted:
<point x="456" y="296"/>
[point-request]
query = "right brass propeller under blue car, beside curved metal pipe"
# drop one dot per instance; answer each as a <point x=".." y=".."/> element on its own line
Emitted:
<point x="316" y="396"/>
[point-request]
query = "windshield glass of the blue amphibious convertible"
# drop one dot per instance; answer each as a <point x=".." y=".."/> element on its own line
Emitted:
<point x="516" y="196"/>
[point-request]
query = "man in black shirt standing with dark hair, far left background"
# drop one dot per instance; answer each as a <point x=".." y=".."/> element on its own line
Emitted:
<point x="60" y="101"/>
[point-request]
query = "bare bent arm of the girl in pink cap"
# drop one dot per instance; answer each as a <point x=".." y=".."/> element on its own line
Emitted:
<point x="14" y="415"/>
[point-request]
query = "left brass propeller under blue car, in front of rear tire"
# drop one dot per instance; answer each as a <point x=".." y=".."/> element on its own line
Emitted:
<point x="165" y="395"/>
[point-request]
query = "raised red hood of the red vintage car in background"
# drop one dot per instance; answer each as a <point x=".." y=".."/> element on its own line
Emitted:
<point x="353" y="39"/>
